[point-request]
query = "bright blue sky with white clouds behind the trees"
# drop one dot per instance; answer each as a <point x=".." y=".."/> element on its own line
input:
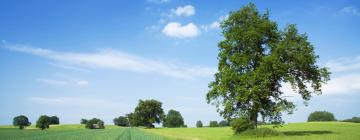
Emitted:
<point x="84" y="59"/>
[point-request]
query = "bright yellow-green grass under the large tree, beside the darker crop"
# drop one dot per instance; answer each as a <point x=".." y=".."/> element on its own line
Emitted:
<point x="295" y="131"/>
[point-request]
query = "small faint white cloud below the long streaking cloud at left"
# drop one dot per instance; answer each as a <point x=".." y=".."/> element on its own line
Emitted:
<point x="65" y="82"/>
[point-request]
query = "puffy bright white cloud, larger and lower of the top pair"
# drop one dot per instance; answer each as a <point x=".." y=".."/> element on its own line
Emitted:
<point x="175" y="29"/>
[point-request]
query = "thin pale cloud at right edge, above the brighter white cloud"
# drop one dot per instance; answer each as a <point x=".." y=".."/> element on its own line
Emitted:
<point x="344" y="64"/>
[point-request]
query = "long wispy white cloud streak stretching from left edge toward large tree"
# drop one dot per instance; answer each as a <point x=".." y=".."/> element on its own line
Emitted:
<point x="113" y="59"/>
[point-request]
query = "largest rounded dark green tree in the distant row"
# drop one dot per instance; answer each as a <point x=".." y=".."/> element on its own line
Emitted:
<point x="148" y="112"/>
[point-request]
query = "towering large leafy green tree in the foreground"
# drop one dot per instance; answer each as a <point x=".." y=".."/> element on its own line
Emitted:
<point x="255" y="60"/>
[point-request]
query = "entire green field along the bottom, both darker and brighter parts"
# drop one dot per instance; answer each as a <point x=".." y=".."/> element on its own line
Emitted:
<point x="295" y="131"/>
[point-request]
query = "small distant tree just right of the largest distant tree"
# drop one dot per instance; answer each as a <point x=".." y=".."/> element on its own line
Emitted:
<point x="173" y="119"/>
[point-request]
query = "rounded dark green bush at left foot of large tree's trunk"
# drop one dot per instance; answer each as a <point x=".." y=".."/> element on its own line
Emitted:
<point x="241" y="124"/>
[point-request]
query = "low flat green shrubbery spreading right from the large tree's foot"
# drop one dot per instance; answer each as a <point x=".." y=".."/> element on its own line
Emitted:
<point x="261" y="132"/>
